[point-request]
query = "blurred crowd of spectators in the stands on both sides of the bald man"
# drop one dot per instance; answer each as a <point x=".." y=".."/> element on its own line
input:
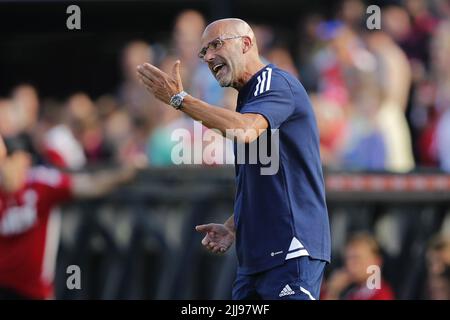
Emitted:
<point x="382" y="97"/>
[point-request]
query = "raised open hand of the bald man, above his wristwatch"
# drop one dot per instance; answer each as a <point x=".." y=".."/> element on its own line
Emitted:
<point x="159" y="83"/>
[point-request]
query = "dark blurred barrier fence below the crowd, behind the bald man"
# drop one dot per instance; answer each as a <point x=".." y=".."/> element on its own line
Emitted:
<point x="140" y="242"/>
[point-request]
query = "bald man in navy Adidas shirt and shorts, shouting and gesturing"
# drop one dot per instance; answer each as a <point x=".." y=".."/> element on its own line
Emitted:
<point x="280" y="221"/>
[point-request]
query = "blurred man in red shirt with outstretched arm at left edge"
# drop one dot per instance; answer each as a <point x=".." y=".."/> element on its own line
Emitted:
<point x="29" y="227"/>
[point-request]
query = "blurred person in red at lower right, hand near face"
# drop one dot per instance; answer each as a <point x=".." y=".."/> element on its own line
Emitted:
<point x="362" y="253"/>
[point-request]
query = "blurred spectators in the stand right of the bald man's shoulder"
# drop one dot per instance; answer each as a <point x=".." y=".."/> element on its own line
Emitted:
<point x="381" y="97"/>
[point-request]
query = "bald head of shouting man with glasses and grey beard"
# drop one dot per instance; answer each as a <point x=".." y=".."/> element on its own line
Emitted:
<point x="229" y="47"/>
